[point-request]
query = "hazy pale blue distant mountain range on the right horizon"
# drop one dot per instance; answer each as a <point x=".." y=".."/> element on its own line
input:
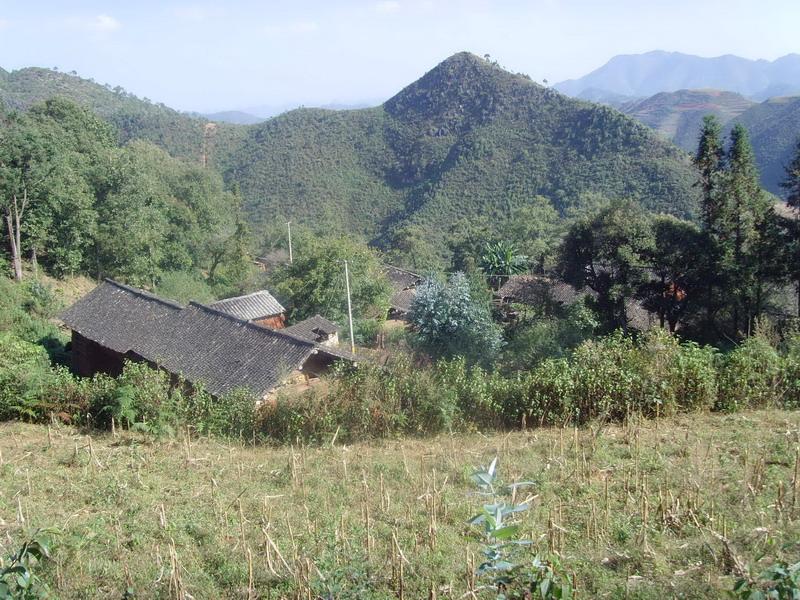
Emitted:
<point x="643" y="75"/>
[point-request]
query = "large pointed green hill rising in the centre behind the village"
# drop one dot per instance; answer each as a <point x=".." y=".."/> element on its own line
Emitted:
<point x="467" y="139"/>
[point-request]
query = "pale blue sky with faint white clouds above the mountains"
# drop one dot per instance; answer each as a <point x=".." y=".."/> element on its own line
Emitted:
<point x="240" y="54"/>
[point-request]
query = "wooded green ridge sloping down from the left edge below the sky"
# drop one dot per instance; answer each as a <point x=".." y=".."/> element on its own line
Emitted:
<point x="182" y="135"/>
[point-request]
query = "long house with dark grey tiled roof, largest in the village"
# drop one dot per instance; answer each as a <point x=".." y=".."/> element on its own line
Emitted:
<point x="200" y="344"/>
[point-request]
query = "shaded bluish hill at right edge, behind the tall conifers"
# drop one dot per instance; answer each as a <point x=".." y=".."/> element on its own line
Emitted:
<point x="774" y="128"/>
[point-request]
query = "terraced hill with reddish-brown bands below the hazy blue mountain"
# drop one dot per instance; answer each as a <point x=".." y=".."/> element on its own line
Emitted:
<point x="678" y="116"/>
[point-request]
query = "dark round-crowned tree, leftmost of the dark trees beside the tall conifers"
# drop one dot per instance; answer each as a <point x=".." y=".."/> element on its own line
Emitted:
<point x="605" y="252"/>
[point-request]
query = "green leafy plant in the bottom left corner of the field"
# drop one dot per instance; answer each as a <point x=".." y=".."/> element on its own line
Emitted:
<point x="18" y="581"/>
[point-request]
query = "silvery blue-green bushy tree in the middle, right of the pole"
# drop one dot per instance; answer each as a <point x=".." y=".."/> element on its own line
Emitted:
<point x="450" y="320"/>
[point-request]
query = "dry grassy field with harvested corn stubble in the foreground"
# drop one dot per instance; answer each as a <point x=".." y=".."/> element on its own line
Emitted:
<point x="653" y="509"/>
